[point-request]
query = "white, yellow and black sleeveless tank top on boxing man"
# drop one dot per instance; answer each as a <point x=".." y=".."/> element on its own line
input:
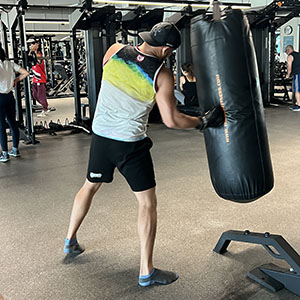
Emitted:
<point x="127" y="95"/>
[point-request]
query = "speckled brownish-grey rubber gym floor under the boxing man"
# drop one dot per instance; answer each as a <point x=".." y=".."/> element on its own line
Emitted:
<point x="37" y="193"/>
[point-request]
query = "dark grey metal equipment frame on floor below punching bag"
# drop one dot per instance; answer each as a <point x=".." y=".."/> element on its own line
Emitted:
<point x="270" y="276"/>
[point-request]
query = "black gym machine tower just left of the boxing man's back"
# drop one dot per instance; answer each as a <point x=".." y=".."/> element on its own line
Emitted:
<point x="99" y="36"/>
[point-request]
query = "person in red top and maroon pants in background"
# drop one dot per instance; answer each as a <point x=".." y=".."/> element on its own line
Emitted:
<point x="39" y="79"/>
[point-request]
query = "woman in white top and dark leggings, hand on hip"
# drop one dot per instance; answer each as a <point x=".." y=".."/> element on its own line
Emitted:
<point x="8" y="105"/>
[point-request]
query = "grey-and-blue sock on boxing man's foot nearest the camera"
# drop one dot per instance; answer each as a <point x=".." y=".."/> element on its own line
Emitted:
<point x="158" y="277"/>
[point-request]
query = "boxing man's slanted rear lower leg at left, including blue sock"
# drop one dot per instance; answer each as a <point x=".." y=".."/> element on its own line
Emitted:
<point x="82" y="203"/>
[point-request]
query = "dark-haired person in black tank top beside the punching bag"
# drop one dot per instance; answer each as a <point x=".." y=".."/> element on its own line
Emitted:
<point x="188" y="85"/>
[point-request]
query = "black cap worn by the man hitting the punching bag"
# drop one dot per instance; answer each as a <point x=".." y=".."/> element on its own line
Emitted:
<point x="162" y="34"/>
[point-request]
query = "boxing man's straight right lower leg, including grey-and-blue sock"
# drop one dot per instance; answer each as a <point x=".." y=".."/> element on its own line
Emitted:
<point x="147" y="221"/>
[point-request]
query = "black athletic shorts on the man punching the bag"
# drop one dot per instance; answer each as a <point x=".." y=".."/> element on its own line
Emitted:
<point x="132" y="159"/>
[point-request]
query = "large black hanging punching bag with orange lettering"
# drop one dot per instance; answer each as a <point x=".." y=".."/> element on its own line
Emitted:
<point x="226" y="70"/>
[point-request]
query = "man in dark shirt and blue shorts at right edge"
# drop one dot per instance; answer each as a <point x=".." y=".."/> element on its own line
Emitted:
<point x="293" y="66"/>
